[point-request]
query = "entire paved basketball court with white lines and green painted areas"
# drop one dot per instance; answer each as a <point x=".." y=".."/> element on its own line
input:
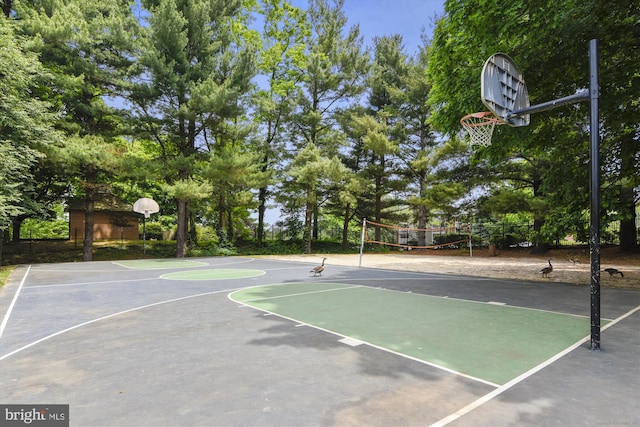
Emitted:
<point x="254" y="342"/>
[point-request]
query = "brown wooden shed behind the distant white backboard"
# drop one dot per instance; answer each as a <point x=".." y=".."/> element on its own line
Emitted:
<point x="112" y="220"/>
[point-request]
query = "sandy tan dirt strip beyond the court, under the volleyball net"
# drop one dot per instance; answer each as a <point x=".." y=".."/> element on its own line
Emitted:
<point x="520" y="265"/>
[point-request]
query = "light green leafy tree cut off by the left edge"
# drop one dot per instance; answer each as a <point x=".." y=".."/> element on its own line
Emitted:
<point x="26" y="124"/>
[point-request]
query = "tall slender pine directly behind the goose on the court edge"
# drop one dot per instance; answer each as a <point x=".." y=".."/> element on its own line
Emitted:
<point x="332" y="75"/>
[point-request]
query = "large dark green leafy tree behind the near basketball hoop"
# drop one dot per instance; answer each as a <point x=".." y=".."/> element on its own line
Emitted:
<point x="549" y="42"/>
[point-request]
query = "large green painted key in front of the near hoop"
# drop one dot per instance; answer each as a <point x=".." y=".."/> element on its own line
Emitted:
<point x="490" y="342"/>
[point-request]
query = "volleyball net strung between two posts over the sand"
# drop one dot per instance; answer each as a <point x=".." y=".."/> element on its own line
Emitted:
<point x="409" y="238"/>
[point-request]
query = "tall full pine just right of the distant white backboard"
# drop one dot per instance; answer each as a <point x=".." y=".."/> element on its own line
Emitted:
<point x="196" y="66"/>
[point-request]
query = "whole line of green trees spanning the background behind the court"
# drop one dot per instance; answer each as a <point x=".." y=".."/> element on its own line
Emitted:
<point x="218" y="109"/>
